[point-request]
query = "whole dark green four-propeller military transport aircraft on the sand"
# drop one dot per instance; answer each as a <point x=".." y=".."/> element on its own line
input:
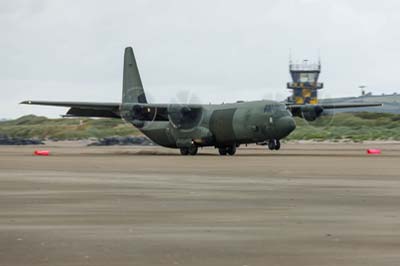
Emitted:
<point x="189" y="126"/>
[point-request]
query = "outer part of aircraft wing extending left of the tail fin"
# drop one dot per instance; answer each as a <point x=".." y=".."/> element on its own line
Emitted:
<point x="84" y="109"/>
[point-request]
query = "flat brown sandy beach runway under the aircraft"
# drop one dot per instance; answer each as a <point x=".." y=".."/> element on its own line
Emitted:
<point x="309" y="204"/>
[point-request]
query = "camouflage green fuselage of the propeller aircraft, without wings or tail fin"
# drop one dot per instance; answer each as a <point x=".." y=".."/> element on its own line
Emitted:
<point x="222" y="125"/>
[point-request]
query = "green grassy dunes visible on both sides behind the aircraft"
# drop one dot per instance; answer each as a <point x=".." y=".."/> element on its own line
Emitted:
<point x="343" y="126"/>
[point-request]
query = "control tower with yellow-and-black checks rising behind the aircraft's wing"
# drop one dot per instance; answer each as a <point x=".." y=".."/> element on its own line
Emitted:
<point x="304" y="82"/>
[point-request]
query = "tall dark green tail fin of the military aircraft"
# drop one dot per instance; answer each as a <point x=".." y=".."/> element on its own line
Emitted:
<point x="132" y="88"/>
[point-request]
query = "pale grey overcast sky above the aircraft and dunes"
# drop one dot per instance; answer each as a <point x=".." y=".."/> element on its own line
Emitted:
<point x="194" y="51"/>
